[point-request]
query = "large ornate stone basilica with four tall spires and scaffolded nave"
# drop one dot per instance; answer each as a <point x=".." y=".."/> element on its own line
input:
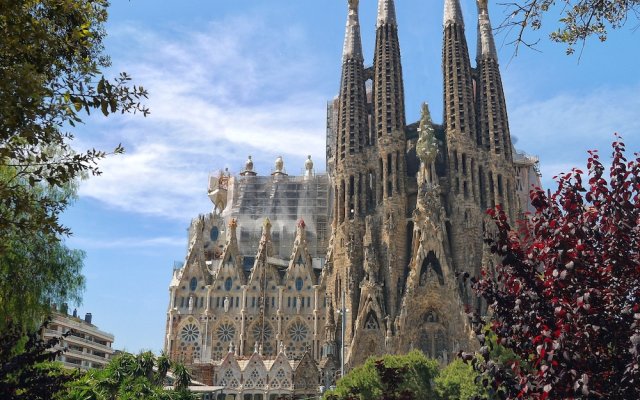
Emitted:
<point x="292" y="278"/>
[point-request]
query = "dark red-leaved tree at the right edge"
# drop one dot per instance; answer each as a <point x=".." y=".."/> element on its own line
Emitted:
<point x="566" y="297"/>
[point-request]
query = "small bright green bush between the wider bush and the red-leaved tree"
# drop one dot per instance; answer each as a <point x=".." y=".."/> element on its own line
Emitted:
<point x="458" y="381"/>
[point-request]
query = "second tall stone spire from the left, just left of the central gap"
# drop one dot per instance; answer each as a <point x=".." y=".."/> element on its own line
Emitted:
<point x="389" y="127"/>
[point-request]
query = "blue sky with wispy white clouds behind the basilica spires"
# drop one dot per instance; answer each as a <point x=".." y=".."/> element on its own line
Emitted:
<point x="232" y="78"/>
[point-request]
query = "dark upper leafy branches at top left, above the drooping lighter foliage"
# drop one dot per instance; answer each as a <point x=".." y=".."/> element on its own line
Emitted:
<point x="51" y="57"/>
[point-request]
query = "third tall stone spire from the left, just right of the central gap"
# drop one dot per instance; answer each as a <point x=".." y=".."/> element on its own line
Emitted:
<point x="463" y="156"/>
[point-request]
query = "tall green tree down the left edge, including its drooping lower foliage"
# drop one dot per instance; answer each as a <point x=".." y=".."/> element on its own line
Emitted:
<point x="51" y="63"/>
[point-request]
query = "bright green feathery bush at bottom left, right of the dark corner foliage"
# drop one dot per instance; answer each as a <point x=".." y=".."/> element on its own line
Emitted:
<point x="129" y="377"/>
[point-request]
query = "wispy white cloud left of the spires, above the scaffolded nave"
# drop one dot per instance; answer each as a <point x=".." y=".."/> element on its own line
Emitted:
<point x="239" y="87"/>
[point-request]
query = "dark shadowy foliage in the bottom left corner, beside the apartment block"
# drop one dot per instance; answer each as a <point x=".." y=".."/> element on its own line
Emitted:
<point x="26" y="368"/>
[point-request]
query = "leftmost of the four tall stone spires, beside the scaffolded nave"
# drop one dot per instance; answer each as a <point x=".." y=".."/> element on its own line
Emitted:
<point x="350" y="171"/>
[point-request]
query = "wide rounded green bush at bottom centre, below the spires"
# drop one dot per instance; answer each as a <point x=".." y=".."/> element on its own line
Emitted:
<point x="394" y="377"/>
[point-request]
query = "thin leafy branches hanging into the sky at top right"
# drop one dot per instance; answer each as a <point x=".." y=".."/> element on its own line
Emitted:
<point x="579" y="19"/>
